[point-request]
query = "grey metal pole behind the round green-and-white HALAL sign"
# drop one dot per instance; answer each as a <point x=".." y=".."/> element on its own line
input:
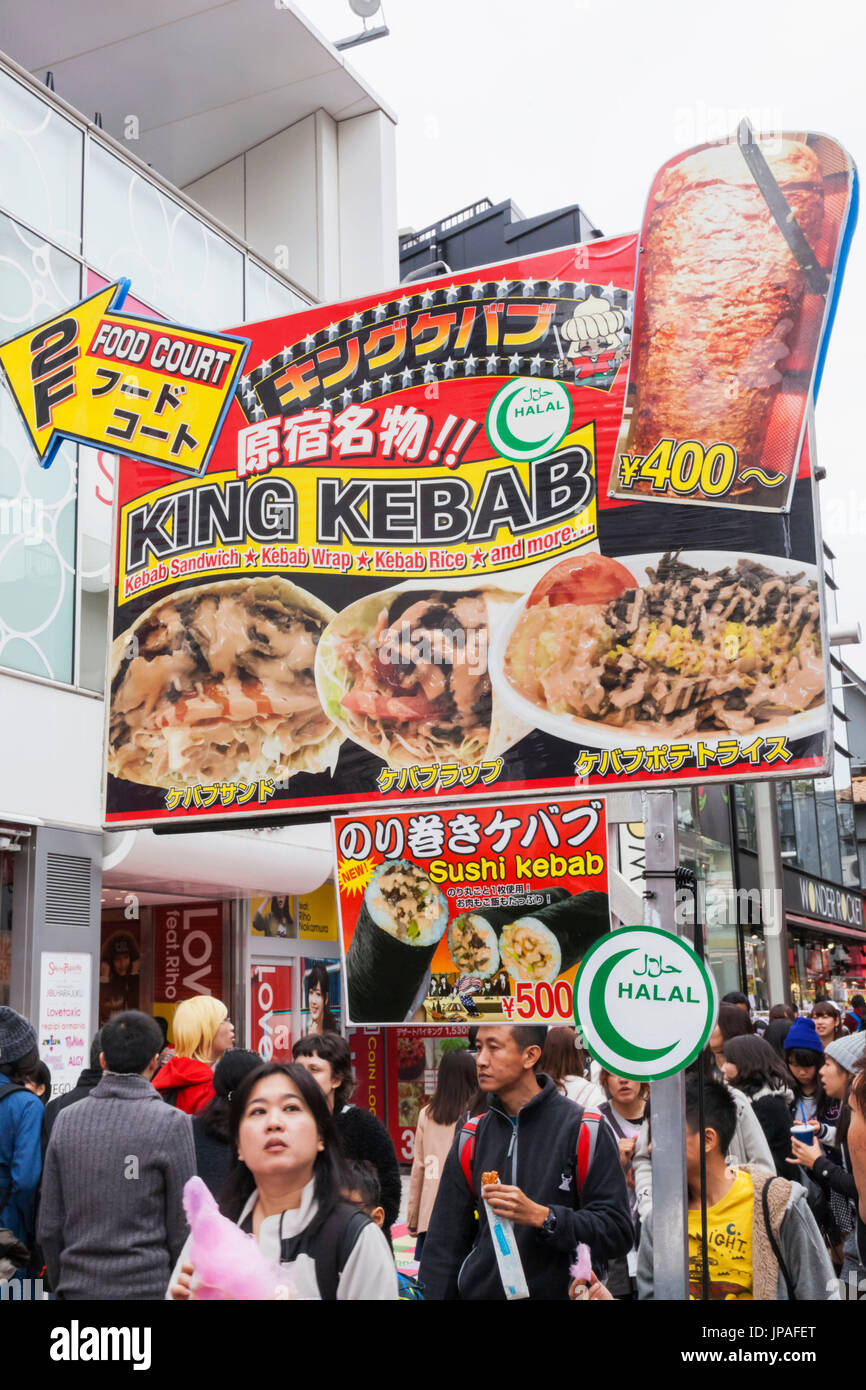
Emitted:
<point x="668" y="1110"/>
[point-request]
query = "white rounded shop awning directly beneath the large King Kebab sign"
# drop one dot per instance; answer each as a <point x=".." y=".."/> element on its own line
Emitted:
<point x="226" y="864"/>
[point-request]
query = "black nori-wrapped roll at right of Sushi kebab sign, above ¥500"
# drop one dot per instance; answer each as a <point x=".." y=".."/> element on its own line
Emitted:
<point x="547" y="943"/>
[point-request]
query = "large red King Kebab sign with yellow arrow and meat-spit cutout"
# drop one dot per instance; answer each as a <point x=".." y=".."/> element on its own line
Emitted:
<point x="539" y="529"/>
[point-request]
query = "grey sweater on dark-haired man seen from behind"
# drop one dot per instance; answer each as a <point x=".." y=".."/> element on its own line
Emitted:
<point x="112" y="1220"/>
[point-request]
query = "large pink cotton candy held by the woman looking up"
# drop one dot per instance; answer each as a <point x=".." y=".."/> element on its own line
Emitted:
<point x="229" y="1264"/>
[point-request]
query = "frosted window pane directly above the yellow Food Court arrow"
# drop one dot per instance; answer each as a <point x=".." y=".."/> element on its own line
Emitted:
<point x="174" y="262"/>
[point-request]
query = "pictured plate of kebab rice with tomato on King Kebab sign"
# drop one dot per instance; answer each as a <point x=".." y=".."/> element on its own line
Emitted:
<point x="671" y="647"/>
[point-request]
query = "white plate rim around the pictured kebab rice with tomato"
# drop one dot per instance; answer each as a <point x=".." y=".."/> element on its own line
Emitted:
<point x="589" y="733"/>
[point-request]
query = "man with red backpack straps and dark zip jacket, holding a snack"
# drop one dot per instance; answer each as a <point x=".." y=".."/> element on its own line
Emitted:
<point x="529" y="1138"/>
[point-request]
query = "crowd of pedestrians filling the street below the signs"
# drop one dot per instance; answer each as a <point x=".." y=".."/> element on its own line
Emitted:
<point x="532" y="1175"/>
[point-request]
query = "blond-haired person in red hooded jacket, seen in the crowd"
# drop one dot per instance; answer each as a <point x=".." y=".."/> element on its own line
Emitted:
<point x="202" y="1033"/>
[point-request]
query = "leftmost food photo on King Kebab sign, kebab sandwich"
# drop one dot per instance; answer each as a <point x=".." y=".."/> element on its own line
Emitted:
<point x="216" y="683"/>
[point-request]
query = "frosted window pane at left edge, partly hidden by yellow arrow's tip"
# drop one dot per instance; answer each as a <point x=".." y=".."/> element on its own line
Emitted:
<point x="37" y="505"/>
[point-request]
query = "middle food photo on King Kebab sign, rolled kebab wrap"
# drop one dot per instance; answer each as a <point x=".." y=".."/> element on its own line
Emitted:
<point x="405" y="675"/>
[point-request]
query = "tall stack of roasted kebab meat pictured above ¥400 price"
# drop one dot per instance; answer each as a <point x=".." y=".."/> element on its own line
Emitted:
<point x="718" y="297"/>
